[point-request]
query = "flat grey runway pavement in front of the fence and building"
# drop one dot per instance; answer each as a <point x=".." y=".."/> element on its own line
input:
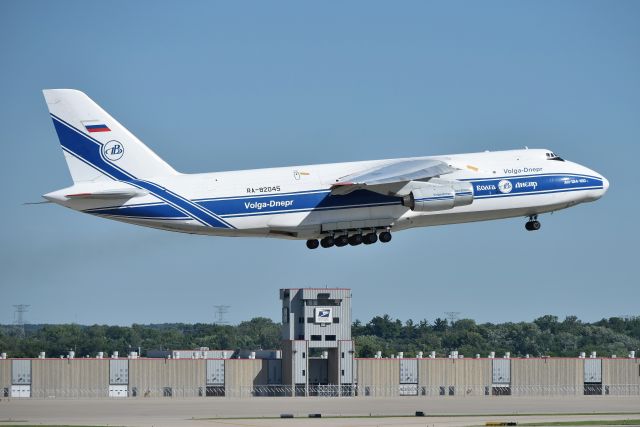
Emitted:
<point x="346" y="411"/>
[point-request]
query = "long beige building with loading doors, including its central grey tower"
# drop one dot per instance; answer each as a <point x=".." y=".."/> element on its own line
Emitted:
<point x="316" y="359"/>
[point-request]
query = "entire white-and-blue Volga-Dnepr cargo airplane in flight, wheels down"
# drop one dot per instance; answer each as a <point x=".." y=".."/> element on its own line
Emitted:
<point x="116" y="176"/>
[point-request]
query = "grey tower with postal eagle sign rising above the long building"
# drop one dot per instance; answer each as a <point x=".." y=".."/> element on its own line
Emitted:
<point x="317" y="349"/>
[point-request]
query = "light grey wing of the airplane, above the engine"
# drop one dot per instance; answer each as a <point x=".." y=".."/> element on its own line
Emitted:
<point x="390" y="175"/>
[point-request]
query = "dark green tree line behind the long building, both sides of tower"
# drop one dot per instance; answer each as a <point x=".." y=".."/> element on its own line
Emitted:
<point x="545" y="336"/>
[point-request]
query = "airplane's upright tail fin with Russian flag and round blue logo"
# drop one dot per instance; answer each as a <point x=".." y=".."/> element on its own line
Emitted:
<point x="97" y="147"/>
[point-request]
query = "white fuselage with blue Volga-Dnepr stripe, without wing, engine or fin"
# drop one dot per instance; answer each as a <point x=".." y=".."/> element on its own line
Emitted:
<point x="297" y="202"/>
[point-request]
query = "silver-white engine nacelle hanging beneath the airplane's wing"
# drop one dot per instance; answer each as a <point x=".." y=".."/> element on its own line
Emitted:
<point x="438" y="195"/>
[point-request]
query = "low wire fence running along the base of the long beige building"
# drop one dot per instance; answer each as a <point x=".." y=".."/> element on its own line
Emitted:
<point x="355" y="391"/>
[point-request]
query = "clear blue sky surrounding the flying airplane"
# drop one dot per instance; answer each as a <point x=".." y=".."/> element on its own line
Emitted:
<point x="239" y="85"/>
